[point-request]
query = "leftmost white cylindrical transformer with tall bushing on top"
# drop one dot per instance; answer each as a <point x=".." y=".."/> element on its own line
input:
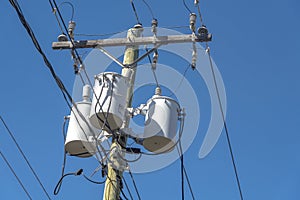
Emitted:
<point x="81" y="135"/>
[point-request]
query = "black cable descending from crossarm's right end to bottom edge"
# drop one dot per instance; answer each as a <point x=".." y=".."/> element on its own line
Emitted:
<point x="225" y="124"/>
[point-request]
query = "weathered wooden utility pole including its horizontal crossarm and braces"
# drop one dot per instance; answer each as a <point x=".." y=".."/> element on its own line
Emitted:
<point x="117" y="165"/>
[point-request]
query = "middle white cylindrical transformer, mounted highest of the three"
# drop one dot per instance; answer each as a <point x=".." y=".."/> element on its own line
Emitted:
<point x="108" y="105"/>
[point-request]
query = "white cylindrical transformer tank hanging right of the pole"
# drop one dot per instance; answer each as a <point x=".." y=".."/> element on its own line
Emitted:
<point x="161" y="124"/>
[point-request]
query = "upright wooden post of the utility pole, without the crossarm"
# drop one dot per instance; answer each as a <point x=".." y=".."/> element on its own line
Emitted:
<point x="113" y="184"/>
